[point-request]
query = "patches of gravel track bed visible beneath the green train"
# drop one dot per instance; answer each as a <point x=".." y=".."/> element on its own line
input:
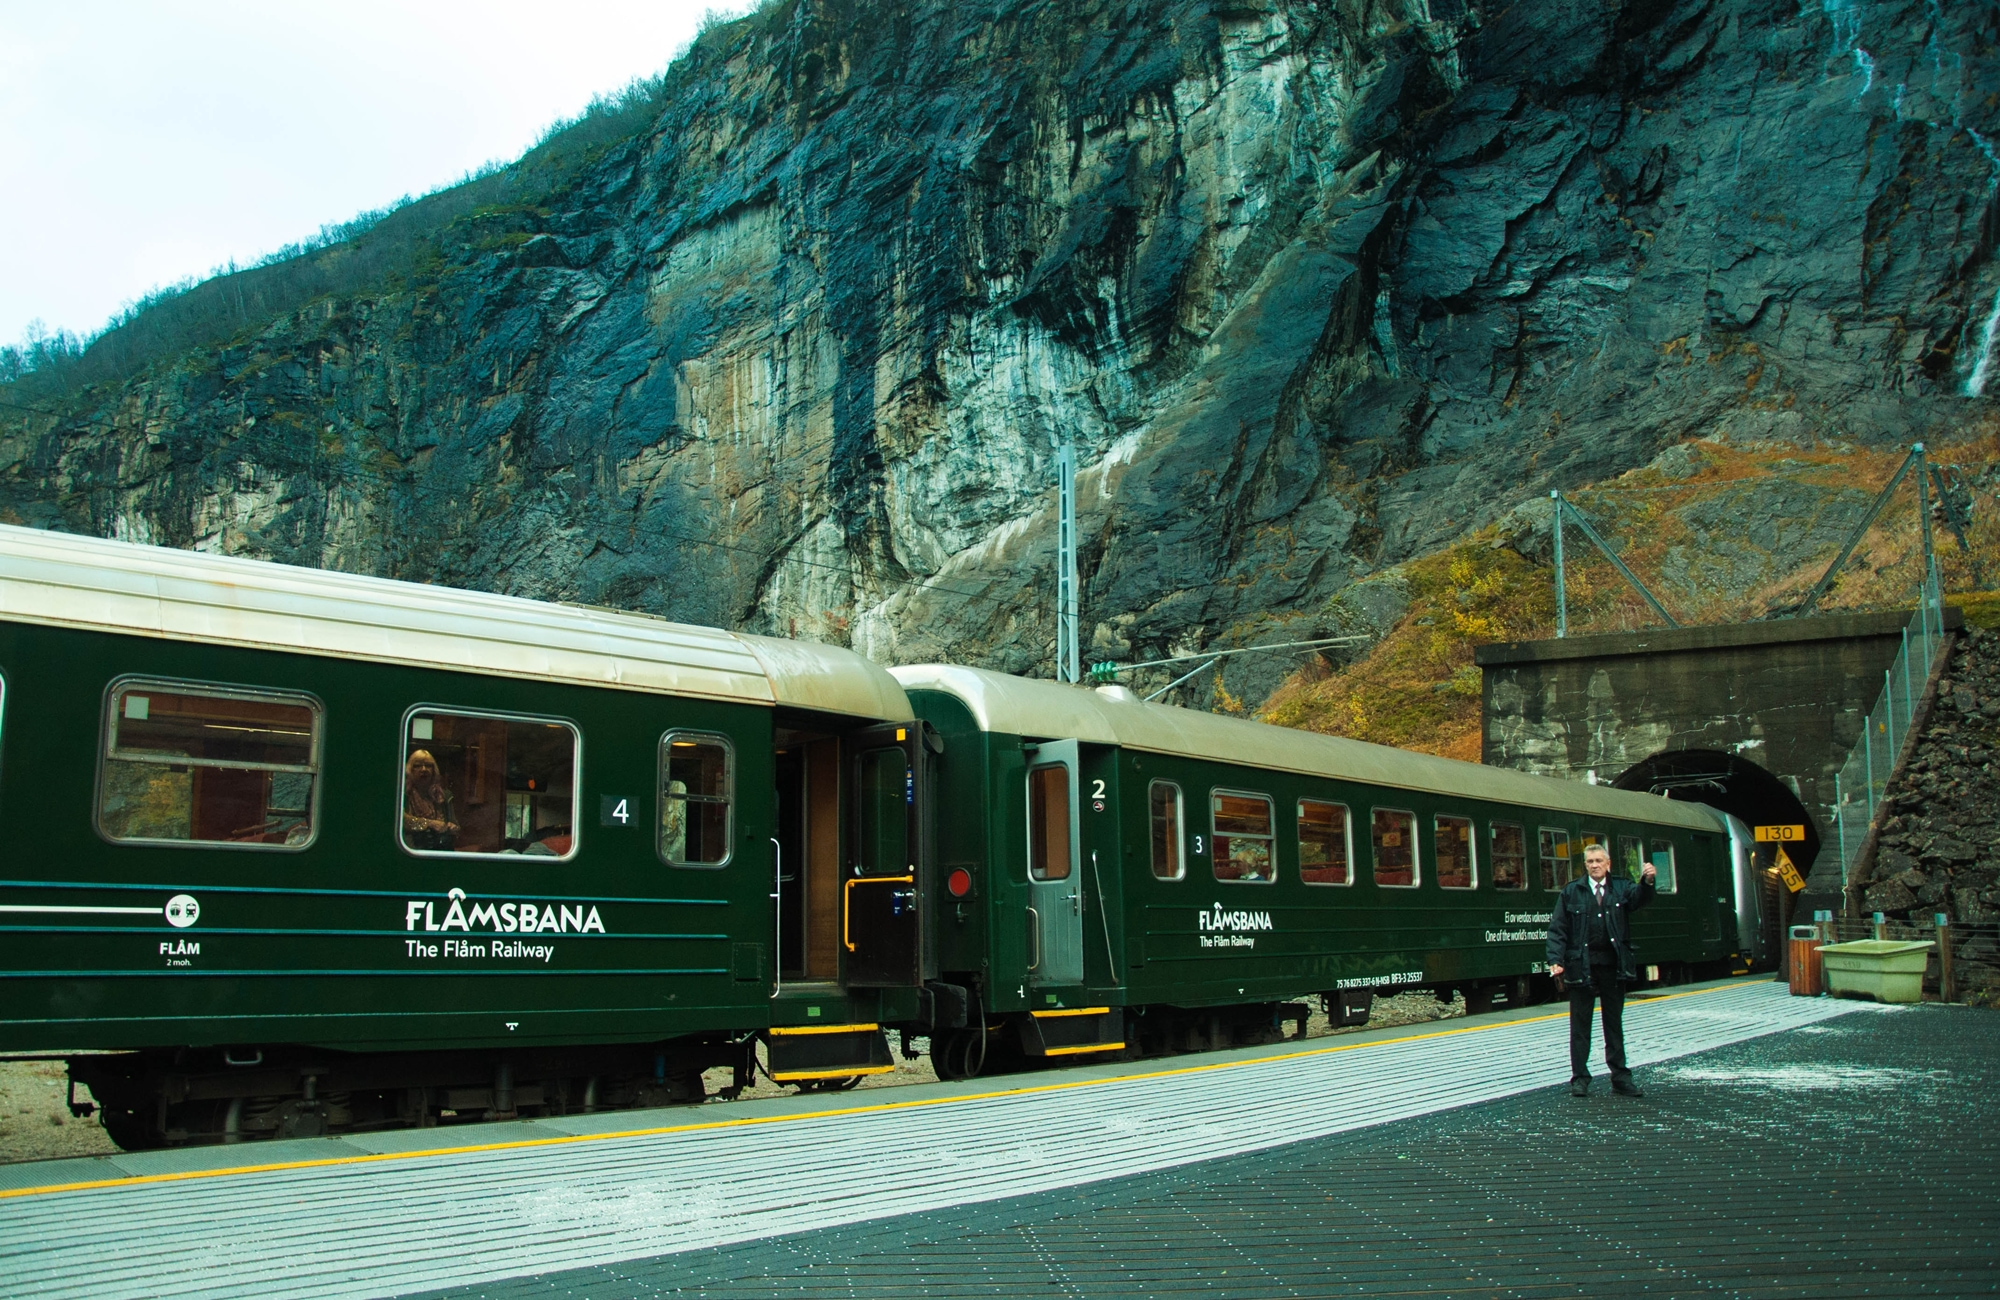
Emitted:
<point x="35" y="1121"/>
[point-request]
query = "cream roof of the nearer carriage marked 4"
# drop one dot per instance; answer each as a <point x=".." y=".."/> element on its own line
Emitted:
<point x="69" y="581"/>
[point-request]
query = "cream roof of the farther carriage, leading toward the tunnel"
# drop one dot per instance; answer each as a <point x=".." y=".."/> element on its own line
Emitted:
<point x="1113" y="715"/>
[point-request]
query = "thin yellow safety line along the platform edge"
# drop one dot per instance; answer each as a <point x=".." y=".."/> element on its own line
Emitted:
<point x="135" y="1181"/>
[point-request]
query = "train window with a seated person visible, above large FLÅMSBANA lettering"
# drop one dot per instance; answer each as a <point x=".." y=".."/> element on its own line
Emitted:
<point x="487" y="785"/>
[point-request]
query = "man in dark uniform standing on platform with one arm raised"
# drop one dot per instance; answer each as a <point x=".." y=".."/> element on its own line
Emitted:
<point x="1591" y="951"/>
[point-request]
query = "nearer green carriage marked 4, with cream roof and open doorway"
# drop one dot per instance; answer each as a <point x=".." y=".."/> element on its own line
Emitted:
<point x="317" y="851"/>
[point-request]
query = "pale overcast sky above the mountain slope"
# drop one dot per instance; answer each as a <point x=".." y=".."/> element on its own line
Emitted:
<point x="149" y="141"/>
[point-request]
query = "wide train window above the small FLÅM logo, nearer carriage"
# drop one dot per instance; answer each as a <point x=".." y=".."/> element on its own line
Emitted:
<point x="209" y="765"/>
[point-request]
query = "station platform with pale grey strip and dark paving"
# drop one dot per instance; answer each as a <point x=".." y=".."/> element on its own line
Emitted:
<point x="1435" y="1161"/>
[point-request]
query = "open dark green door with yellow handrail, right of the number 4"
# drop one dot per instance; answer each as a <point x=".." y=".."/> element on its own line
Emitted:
<point x="889" y="859"/>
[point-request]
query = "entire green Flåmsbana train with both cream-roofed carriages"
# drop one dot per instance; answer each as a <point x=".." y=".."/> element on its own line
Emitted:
<point x="309" y="853"/>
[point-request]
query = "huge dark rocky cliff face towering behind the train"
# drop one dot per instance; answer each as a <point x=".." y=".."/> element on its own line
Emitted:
<point x="1313" y="287"/>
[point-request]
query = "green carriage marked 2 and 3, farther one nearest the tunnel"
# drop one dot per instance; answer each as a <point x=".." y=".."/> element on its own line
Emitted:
<point x="1145" y="877"/>
